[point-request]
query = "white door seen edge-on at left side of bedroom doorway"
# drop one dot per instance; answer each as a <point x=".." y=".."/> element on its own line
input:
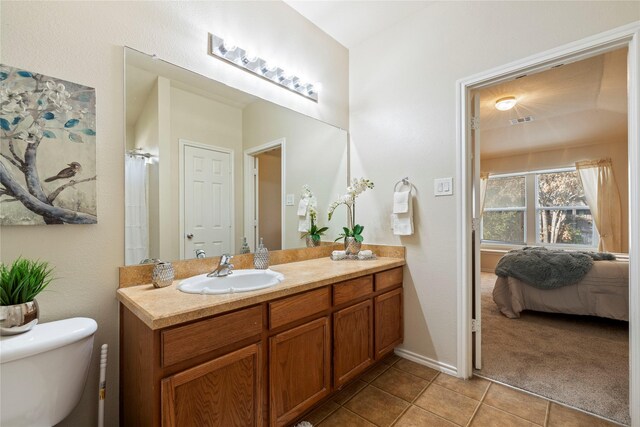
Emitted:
<point x="477" y="288"/>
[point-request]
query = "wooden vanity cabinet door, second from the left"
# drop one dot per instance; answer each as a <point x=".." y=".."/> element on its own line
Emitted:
<point x="299" y="370"/>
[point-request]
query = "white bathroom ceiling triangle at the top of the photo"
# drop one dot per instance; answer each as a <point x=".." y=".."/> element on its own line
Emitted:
<point x="350" y="22"/>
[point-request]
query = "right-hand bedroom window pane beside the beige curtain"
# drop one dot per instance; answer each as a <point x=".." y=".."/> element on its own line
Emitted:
<point x="562" y="213"/>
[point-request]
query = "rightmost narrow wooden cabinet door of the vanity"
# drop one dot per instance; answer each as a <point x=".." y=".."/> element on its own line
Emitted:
<point x="389" y="327"/>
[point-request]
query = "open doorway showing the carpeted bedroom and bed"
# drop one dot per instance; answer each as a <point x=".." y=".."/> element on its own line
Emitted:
<point x="570" y="343"/>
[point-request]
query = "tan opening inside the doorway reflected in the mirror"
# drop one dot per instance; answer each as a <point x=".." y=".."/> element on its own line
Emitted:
<point x="268" y="186"/>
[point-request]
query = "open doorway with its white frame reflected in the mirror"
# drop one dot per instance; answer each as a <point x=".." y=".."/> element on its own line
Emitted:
<point x="264" y="194"/>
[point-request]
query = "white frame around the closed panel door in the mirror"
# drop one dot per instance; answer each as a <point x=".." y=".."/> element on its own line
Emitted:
<point x="182" y="143"/>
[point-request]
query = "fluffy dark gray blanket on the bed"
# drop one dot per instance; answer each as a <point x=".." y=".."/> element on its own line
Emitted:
<point x="548" y="269"/>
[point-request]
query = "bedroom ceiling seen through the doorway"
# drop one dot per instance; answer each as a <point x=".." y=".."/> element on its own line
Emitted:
<point x="580" y="103"/>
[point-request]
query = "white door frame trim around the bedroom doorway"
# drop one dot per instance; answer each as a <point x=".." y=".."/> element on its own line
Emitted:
<point x="469" y="253"/>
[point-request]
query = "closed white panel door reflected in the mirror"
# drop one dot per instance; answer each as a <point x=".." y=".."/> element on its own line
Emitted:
<point x="207" y="201"/>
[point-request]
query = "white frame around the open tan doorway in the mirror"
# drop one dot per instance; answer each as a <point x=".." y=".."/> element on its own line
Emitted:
<point x="249" y="190"/>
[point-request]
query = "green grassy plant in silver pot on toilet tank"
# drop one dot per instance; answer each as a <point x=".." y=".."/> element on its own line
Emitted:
<point x="20" y="283"/>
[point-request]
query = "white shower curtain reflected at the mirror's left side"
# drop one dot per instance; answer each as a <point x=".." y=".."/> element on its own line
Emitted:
<point x="136" y="214"/>
